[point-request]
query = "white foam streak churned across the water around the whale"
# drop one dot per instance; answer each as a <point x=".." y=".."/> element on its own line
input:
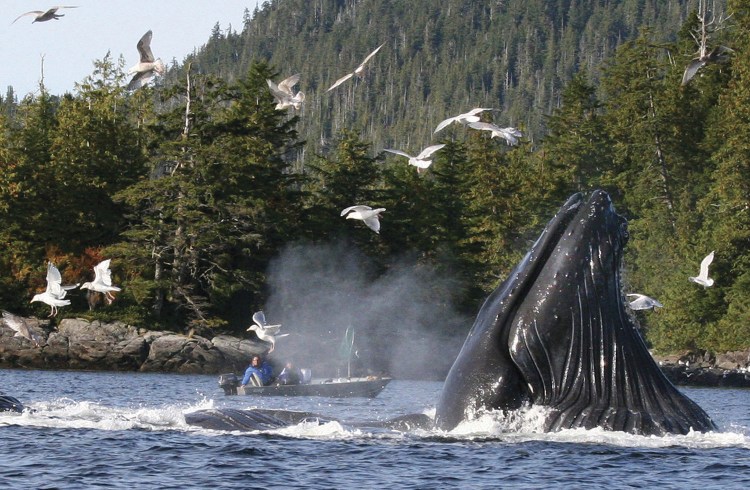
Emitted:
<point x="517" y="426"/>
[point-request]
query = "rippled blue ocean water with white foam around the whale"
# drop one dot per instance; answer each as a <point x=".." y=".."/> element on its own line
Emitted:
<point x="127" y="430"/>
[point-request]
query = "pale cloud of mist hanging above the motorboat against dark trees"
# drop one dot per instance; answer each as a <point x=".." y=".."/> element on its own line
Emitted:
<point x="404" y="321"/>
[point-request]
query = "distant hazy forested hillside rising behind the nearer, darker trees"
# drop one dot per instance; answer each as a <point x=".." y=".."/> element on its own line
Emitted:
<point x="440" y="57"/>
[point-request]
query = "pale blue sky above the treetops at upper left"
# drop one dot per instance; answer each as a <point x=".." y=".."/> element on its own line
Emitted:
<point x="85" y="34"/>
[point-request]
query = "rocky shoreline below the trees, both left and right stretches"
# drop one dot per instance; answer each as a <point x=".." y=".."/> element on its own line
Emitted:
<point x="92" y="345"/>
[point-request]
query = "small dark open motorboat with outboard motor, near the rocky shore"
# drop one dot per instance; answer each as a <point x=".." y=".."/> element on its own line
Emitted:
<point x="367" y="387"/>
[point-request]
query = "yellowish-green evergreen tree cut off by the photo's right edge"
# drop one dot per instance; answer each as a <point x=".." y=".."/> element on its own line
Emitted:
<point x="726" y="205"/>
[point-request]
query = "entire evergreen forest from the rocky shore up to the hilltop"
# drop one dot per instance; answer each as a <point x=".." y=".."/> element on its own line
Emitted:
<point x="213" y="204"/>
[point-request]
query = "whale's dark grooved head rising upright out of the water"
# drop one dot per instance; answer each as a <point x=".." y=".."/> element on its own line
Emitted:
<point x="556" y="333"/>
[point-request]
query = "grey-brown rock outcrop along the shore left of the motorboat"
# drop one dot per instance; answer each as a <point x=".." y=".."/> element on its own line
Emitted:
<point x="80" y="344"/>
